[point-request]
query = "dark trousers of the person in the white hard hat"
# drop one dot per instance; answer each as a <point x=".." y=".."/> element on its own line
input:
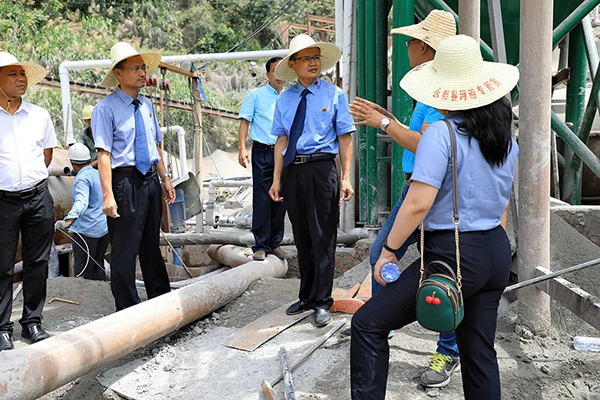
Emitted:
<point x="84" y="262"/>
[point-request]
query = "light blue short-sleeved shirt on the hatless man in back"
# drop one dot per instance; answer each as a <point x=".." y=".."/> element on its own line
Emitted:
<point x="258" y="109"/>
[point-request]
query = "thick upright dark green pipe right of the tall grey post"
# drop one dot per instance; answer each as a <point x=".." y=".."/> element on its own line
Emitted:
<point x="571" y="182"/>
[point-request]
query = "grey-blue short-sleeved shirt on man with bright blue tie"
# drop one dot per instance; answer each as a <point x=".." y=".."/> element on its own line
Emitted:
<point x="113" y="124"/>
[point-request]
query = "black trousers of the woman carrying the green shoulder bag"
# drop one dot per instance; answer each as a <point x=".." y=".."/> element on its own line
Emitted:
<point x="485" y="265"/>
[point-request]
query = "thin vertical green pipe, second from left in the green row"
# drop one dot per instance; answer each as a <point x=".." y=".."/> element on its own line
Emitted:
<point x="370" y="75"/>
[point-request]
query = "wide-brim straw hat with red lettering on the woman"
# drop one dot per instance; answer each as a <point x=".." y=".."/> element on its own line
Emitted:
<point x="458" y="78"/>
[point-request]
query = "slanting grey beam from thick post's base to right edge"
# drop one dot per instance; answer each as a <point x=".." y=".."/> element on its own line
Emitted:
<point x="572" y="297"/>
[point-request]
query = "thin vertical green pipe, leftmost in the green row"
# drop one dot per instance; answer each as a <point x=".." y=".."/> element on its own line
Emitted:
<point x="362" y="130"/>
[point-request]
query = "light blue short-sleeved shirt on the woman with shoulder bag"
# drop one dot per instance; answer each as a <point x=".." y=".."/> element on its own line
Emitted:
<point x="483" y="190"/>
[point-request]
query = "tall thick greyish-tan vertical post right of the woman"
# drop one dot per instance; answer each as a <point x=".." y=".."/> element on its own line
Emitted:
<point x="534" y="158"/>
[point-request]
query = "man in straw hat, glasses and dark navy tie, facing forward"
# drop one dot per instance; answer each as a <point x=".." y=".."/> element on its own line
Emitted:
<point x="313" y="125"/>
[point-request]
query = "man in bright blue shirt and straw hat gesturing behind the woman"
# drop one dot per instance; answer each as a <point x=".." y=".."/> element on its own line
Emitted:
<point x="424" y="39"/>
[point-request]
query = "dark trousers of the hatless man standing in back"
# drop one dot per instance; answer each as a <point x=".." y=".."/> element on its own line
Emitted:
<point x="267" y="216"/>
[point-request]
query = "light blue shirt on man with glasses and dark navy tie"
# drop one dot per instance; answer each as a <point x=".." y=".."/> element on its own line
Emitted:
<point x="327" y="117"/>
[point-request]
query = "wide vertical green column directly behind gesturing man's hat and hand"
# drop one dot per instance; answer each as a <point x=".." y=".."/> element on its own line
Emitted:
<point x="402" y="104"/>
